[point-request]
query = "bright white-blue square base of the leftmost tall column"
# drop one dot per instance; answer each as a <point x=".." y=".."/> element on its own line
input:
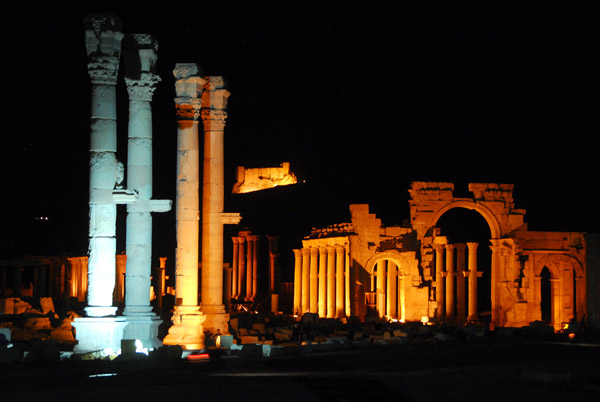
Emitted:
<point x="98" y="333"/>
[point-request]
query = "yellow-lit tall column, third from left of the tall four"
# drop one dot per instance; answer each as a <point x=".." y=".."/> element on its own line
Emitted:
<point x="187" y="319"/>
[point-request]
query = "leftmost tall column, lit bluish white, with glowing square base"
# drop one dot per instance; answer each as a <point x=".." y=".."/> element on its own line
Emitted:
<point x="100" y="329"/>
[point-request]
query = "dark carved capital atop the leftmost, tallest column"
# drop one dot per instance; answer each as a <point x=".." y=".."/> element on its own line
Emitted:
<point x="103" y="46"/>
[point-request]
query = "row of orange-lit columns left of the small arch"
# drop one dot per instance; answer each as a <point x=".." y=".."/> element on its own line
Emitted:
<point x="321" y="281"/>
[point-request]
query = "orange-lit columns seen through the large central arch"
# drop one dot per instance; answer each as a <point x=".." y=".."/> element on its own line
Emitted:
<point x="451" y="303"/>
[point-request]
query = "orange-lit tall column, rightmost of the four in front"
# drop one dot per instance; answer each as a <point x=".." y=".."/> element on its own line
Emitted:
<point x="214" y="105"/>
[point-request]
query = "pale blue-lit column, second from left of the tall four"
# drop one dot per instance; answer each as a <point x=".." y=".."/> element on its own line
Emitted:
<point x="141" y="80"/>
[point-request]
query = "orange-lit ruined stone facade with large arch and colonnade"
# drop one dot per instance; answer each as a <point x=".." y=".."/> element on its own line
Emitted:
<point x="409" y="273"/>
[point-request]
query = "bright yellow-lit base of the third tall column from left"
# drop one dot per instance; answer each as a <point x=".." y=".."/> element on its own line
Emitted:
<point x="187" y="330"/>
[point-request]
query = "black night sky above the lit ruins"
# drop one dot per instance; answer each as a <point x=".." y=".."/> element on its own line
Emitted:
<point x="361" y="100"/>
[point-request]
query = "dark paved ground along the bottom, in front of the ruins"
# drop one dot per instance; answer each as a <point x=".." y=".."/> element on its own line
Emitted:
<point x="490" y="370"/>
